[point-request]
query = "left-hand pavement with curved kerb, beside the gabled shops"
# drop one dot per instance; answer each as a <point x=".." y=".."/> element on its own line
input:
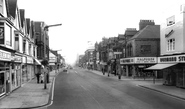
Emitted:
<point x="30" y="95"/>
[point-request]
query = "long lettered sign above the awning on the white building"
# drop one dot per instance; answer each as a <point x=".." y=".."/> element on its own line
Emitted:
<point x="172" y="59"/>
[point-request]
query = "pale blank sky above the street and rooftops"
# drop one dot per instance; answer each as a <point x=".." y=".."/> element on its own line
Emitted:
<point x="90" y="20"/>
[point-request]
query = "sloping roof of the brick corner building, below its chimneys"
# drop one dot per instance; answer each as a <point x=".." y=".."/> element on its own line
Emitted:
<point x="149" y="32"/>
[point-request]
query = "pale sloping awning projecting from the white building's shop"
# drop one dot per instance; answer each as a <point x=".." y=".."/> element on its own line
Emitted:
<point x="160" y="66"/>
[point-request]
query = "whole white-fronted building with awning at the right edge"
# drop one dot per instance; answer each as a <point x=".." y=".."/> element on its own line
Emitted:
<point x="172" y="59"/>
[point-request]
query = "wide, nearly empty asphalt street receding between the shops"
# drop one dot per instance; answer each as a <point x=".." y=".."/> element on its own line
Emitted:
<point x="82" y="89"/>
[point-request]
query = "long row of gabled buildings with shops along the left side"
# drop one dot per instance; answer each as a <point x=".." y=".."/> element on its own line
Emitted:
<point x="17" y="47"/>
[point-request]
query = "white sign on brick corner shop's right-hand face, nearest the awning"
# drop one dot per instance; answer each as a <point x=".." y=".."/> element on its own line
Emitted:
<point x="145" y="60"/>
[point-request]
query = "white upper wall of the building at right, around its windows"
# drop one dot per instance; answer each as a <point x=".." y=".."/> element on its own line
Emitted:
<point x="178" y="33"/>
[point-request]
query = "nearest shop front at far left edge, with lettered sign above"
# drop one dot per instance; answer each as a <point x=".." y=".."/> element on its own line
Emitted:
<point x="5" y="80"/>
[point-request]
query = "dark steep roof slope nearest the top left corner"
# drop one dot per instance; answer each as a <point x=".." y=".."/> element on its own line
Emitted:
<point x="12" y="5"/>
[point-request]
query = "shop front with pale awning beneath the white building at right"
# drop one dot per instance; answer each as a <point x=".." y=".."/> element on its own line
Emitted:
<point x="173" y="69"/>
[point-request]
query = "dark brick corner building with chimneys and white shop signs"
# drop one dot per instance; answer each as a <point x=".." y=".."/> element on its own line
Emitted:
<point x="142" y="49"/>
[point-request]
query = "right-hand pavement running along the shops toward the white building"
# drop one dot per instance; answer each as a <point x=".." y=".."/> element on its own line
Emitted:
<point x="149" y="84"/>
